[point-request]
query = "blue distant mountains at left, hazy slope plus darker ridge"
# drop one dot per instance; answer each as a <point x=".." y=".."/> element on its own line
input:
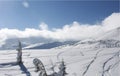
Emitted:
<point x="33" y="43"/>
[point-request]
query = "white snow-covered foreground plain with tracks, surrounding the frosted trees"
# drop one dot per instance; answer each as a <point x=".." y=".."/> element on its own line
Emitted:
<point x="80" y="60"/>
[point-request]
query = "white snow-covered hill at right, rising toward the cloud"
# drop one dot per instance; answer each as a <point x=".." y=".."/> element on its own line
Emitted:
<point x="109" y="39"/>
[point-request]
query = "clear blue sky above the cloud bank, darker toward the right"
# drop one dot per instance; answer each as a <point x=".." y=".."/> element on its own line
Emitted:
<point x="29" y="13"/>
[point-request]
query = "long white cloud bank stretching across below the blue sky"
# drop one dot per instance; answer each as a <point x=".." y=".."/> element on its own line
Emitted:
<point x="74" y="31"/>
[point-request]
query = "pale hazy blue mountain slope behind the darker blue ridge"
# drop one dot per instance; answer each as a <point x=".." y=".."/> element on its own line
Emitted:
<point x="12" y="43"/>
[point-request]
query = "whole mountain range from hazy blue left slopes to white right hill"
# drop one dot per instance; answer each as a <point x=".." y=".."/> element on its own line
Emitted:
<point x="42" y="43"/>
